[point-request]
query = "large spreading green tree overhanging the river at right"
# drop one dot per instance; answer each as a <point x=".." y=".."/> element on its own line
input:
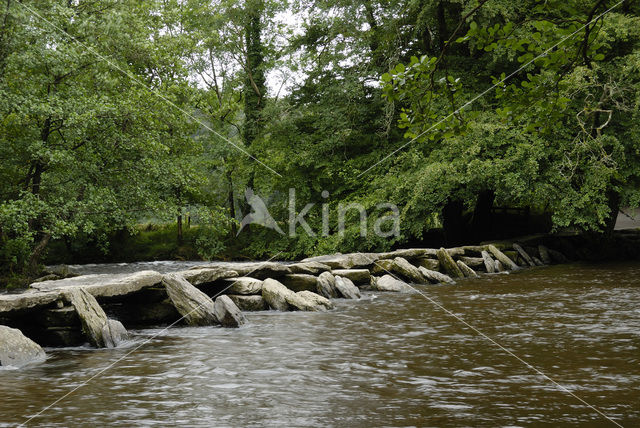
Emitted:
<point x="558" y="136"/>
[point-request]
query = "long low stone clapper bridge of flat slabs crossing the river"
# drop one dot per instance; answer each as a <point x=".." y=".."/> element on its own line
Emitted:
<point x="97" y="309"/>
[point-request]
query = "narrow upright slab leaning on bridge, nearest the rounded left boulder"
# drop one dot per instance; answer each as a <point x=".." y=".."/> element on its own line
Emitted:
<point x="92" y="317"/>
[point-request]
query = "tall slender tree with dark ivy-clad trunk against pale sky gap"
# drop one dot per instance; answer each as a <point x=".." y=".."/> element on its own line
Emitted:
<point x="236" y="46"/>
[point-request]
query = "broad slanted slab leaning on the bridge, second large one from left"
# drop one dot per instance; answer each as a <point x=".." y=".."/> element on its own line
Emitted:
<point x="195" y="307"/>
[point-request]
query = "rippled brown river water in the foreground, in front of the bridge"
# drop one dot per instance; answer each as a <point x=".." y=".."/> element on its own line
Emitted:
<point x="386" y="360"/>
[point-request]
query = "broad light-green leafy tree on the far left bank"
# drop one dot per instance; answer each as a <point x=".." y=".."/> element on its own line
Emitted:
<point x="85" y="139"/>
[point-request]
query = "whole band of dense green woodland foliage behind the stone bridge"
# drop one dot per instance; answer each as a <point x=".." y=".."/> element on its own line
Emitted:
<point x="117" y="112"/>
